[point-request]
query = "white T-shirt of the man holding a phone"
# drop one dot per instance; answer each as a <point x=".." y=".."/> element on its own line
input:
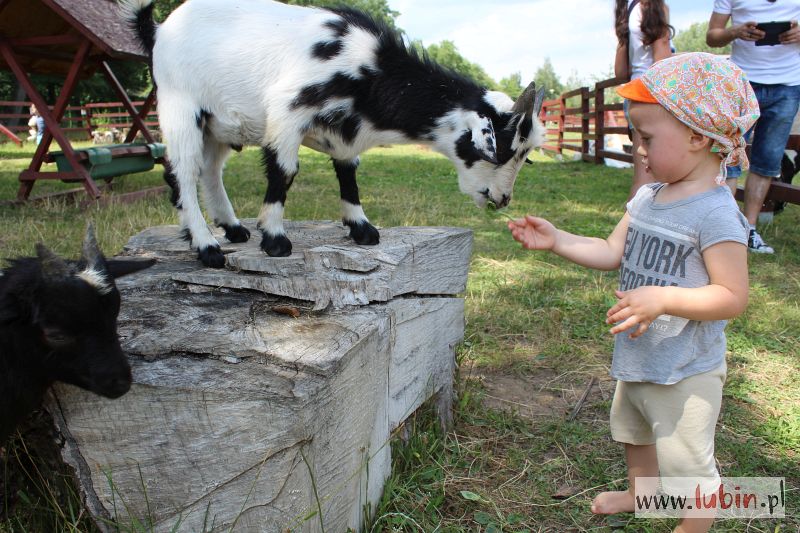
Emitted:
<point x="779" y="64"/>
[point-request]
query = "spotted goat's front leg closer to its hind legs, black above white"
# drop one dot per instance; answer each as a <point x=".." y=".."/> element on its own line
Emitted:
<point x="270" y="221"/>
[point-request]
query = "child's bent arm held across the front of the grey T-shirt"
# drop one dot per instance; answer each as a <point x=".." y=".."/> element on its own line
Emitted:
<point x="724" y="297"/>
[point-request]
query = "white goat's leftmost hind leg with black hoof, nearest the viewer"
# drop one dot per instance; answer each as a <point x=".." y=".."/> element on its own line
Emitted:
<point x="184" y="139"/>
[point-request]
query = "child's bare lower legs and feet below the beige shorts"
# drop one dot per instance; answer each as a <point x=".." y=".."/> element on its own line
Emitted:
<point x="642" y="461"/>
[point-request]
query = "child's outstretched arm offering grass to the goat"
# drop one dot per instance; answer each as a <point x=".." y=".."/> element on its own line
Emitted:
<point x="602" y="254"/>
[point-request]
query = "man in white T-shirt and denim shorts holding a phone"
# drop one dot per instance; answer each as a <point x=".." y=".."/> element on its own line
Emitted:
<point x="765" y="41"/>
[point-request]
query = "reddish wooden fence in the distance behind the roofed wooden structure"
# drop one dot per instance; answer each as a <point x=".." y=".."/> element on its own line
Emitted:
<point x="84" y="119"/>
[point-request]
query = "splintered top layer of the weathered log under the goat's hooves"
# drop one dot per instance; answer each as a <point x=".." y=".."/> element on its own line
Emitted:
<point x="326" y="267"/>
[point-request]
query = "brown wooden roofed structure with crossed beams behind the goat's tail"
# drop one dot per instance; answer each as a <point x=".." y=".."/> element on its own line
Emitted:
<point x="74" y="40"/>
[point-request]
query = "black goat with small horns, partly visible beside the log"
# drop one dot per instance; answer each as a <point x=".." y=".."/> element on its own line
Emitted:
<point x="58" y="322"/>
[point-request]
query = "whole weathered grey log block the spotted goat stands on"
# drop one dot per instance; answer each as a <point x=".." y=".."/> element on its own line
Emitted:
<point x="244" y="419"/>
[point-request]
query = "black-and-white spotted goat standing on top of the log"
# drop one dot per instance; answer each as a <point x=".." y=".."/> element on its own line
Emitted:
<point x="279" y="76"/>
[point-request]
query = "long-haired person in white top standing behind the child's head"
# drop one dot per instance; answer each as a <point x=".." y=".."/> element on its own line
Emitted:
<point x="643" y="37"/>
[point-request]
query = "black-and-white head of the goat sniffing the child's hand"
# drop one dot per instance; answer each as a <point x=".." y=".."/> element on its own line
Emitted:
<point x="488" y="149"/>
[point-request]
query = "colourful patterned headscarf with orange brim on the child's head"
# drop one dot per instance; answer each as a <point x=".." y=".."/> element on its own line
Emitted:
<point x="709" y="94"/>
